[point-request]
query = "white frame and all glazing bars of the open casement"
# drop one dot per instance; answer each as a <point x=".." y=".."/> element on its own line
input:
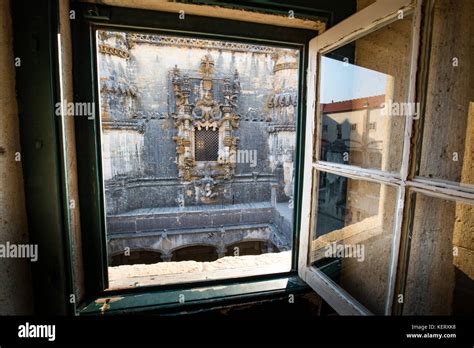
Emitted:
<point x="364" y="22"/>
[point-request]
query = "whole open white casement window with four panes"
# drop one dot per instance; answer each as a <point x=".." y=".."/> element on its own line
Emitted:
<point x="375" y="229"/>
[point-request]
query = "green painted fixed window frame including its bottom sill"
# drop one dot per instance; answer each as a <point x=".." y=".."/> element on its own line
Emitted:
<point x="92" y="17"/>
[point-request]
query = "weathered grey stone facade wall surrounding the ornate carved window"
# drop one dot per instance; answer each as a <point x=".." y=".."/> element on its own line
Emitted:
<point x="137" y="97"/>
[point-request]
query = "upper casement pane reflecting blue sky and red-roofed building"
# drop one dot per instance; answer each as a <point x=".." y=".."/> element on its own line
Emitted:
<point x="363" y="91"/>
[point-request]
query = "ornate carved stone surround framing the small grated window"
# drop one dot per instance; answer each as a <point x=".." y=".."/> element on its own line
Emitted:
<point x="206" y="113"/>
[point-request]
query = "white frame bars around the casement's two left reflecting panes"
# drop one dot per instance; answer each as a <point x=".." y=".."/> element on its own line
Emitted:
<point x="362" y="23"/>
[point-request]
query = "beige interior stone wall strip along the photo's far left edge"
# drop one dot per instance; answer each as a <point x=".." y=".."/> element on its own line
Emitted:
<point x="15" y="278"/>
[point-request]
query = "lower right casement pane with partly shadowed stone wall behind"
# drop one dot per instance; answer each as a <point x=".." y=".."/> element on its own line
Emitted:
<point x="440" y="277"/>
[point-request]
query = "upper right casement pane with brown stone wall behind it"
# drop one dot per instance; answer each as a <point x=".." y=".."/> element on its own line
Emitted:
<point x="448" y="136"/>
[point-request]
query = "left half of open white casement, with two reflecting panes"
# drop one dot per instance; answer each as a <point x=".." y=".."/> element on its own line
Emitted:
<point x="356" y="155"/>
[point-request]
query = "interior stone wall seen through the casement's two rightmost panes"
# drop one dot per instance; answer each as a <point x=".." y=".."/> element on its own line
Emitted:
<point x="441" y="264"/>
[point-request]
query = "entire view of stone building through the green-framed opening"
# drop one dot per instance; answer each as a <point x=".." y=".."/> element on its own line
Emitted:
<point x="198" y="147"/>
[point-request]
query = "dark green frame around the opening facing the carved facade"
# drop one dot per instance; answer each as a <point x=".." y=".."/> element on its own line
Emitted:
<point x="96" y="17"/>
